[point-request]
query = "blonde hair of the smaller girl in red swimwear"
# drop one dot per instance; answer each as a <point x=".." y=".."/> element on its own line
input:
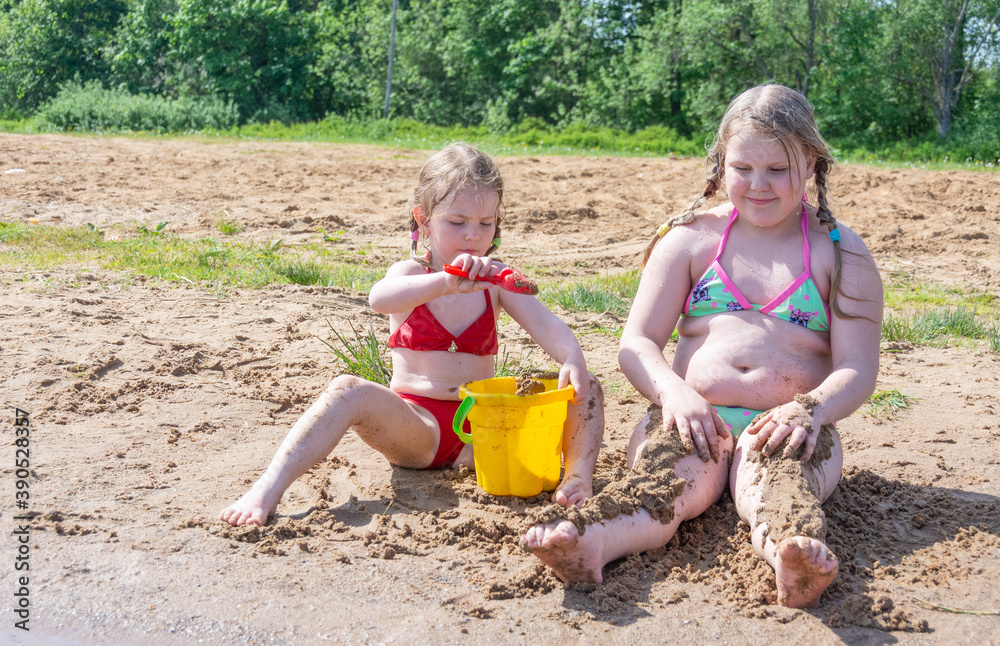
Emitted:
<point x="455" y="167"/>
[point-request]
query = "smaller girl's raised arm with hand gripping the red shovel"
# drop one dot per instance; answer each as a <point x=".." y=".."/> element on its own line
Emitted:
<point x="407" y="285"/>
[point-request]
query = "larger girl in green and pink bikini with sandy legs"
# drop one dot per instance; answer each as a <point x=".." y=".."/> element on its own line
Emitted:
<point x="778" y="311"/>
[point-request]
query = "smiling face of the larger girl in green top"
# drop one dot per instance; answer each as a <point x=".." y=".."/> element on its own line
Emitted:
<point x="764" y="182"/>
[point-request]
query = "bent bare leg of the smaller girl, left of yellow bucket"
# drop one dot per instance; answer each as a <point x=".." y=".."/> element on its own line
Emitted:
<point x="381" y="418"/>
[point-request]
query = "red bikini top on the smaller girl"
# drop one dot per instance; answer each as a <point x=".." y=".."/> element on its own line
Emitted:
<point x="422" y="332"/>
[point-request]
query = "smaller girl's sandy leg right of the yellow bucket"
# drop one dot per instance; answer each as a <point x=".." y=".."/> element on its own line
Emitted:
<point x="582" y="437"/>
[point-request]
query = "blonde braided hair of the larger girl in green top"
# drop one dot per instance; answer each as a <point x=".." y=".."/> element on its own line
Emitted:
<point x="784" y="114"/>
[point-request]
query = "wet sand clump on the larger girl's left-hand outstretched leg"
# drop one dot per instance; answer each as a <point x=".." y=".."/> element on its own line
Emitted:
<point x="651" y="484"/>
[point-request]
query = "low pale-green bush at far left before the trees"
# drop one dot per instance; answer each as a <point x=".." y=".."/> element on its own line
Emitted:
<point x="91" y="107"/>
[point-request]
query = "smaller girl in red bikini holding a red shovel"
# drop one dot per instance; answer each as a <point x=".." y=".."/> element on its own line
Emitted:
<point x="443" y="334"/>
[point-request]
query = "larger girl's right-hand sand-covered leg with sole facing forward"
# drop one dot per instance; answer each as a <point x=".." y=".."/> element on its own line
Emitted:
<point x="780" y="498"/>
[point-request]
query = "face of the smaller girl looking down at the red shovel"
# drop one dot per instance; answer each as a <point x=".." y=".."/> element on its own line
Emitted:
<point x="463" y="222"/>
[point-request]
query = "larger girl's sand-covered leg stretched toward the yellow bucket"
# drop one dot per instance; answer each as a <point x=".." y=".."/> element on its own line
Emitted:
<point x="639" y="513"/>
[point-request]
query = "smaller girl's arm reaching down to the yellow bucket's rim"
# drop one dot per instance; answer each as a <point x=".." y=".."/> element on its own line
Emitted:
<point x="554" y="336"/>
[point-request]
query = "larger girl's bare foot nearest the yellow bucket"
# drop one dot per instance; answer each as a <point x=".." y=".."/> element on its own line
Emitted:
<point x="560" y="546"/>
